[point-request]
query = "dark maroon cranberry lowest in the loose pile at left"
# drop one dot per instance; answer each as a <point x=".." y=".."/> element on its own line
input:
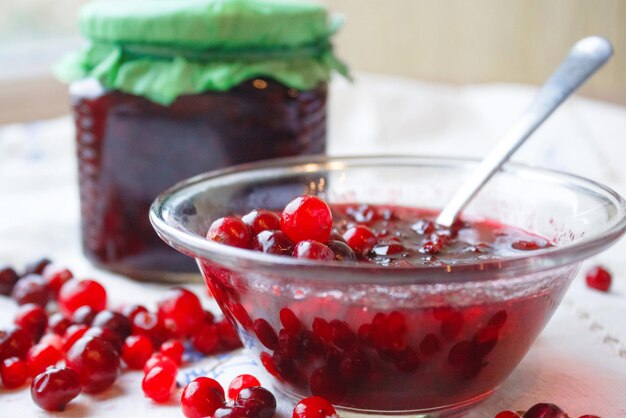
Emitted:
<point x="53" y="389"/>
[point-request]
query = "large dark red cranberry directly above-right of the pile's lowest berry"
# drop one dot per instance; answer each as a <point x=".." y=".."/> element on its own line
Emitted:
<point x="96" y="362"/>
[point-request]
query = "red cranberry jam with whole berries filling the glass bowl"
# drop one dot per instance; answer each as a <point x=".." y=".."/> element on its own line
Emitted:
<point x="384" y="347"/>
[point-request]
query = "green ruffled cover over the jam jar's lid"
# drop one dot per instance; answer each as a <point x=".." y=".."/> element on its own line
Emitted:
<point x="161" y="49"/>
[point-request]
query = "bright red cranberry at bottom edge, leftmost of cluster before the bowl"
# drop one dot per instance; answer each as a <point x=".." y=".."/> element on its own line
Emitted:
<point x="201" y="397"/>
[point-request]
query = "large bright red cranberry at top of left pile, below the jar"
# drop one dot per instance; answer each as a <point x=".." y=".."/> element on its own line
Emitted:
<point x="77" y="293"/>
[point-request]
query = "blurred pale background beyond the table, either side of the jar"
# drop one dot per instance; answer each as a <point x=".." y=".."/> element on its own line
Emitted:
<point x="453" y="41"/>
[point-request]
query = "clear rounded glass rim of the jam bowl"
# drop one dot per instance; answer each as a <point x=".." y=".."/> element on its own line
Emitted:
<point x="234" y="258"/>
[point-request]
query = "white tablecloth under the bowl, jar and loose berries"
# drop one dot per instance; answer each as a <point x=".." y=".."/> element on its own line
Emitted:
<point x="578" y="362"/>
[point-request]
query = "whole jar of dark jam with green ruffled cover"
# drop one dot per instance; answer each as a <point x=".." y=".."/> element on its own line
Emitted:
<point x="168" y="89"/>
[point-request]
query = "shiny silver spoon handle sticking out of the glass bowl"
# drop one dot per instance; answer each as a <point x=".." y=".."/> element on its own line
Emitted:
<point x="584" y="59"/>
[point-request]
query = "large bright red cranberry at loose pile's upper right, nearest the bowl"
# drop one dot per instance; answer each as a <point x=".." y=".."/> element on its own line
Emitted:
<point x="181" y="309"/>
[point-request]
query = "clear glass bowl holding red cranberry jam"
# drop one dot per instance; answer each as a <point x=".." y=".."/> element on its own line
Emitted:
<point x="412" y="341"/>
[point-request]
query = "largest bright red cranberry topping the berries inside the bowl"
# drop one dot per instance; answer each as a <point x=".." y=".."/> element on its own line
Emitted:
<point x="307" y="218"/>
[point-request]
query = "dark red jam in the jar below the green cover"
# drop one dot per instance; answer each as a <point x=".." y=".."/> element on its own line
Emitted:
<point x="131" y="148"/>
